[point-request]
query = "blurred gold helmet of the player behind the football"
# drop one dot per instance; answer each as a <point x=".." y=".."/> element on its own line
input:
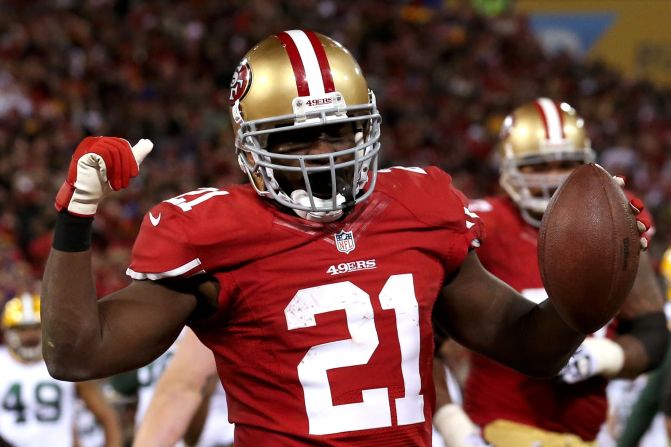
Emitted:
<point x="533" y="135"/>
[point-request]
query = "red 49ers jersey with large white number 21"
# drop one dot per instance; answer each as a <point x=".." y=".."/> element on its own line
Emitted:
<point x="323" y="332"/>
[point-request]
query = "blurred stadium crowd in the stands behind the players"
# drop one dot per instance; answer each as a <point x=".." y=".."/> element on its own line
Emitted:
<point x="445" y="74"/>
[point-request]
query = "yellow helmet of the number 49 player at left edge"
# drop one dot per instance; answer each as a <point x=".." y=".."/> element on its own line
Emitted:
<point x="20" y="314"/>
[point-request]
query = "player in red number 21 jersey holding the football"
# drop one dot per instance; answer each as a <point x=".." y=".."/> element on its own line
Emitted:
<point x="317" y="298"/>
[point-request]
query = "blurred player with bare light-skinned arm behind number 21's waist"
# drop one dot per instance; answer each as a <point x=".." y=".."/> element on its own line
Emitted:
<point x="190" y="379"/>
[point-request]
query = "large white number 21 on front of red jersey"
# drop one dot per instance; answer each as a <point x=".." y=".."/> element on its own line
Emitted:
<point x="374" y="411"/>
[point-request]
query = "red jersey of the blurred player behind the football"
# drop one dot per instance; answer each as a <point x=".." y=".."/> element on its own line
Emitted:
<point x="495" y="392"/>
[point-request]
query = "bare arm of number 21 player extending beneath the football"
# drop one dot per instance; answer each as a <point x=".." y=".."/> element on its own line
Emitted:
<point x="531" y="338"/>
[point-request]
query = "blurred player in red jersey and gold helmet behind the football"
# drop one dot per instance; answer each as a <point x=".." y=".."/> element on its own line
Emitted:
<point x="541" y="143"/>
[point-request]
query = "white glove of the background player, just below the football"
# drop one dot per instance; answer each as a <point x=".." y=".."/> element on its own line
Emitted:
<point x="595" y="356"/>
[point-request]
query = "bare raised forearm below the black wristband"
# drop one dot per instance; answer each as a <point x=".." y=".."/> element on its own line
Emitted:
<point x="70" y="321"/>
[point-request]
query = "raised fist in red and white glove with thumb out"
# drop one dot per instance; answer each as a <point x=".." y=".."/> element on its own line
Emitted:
<point x="98" y="166"/>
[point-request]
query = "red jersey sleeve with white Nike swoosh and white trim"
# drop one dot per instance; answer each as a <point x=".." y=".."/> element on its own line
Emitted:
<point x="162" y="247"/>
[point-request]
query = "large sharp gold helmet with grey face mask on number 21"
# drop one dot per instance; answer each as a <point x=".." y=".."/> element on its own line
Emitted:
<point x="298" y="80"/>
